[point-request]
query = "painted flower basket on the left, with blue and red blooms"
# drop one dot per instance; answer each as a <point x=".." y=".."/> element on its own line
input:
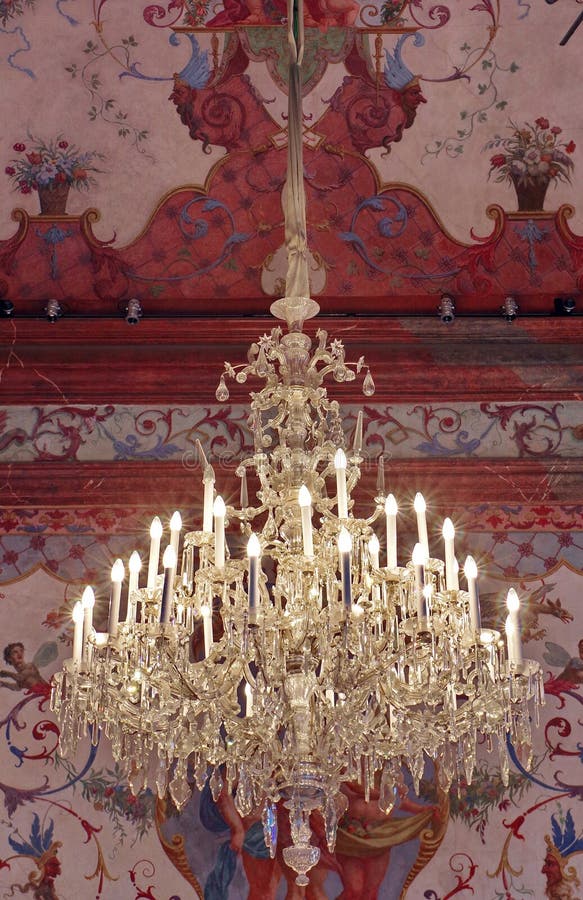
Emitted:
<point x="52" y="168"/>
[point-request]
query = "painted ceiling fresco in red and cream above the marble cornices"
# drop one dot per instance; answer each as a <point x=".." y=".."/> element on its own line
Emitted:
<point x="440" y="146"/>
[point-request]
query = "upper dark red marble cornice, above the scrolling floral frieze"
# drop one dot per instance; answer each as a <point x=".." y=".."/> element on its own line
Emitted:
<point x="179" y="360"/>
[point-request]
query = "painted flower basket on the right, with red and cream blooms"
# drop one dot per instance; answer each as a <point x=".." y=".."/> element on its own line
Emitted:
<point x="531" y="158"/>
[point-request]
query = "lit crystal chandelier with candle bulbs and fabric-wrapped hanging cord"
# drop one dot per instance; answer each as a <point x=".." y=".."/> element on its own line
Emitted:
<point x="321" y="665"/>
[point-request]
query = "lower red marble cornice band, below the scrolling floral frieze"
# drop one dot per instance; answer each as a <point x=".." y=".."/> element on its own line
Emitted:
<point x="448" y="485"/>
